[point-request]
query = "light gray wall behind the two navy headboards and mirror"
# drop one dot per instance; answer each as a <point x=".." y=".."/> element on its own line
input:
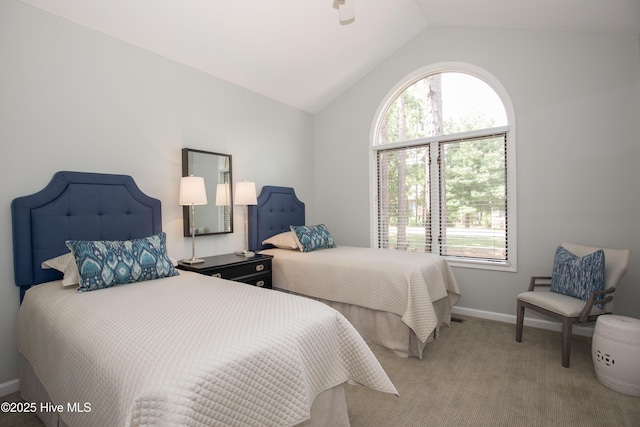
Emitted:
<point x="74" y="99"/>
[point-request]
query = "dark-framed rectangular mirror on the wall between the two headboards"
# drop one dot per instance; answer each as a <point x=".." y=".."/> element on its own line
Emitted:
<point x="214" y="217"/>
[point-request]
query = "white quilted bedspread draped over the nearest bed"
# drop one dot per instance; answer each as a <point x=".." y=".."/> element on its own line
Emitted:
<point x="189" y="350"/>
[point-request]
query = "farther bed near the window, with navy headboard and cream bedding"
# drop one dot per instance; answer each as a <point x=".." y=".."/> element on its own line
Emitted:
<point x="396" y="300"/>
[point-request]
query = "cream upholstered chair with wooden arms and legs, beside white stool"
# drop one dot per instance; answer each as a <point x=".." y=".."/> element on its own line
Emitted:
<point x="570" y="310"/>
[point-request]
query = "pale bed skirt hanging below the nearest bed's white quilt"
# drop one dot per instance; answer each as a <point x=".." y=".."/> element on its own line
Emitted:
<point x="329" y="407"/>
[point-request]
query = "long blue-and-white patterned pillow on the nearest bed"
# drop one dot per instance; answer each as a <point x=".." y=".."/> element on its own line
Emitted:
<point x="103" y="263"/>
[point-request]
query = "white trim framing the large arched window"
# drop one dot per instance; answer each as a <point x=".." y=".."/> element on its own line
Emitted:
<point x="404" y="83"/>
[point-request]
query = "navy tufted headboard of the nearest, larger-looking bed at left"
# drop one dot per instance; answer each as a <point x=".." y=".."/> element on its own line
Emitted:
<point x="78" y="206"/>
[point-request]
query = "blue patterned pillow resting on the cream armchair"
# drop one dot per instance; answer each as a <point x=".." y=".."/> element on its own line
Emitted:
<point x="577" y="276"/>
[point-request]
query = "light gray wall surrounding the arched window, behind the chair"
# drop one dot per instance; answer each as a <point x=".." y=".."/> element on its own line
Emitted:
<point x="577" y="103"/>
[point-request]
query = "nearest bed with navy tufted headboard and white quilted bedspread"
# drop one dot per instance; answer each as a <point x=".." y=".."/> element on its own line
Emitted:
<point x="181" y="350"/>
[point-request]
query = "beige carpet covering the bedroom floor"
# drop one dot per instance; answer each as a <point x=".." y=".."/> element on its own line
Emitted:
<point x="476" y="375"/>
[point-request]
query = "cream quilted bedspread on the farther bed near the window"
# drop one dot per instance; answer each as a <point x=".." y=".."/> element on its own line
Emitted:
<point x="405" y="283"/>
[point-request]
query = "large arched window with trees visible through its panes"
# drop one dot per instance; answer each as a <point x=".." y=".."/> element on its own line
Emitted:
<point x="444" y="168"/>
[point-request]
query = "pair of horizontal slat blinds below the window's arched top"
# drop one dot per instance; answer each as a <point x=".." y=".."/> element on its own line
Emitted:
<point x="468" y="199"/>
